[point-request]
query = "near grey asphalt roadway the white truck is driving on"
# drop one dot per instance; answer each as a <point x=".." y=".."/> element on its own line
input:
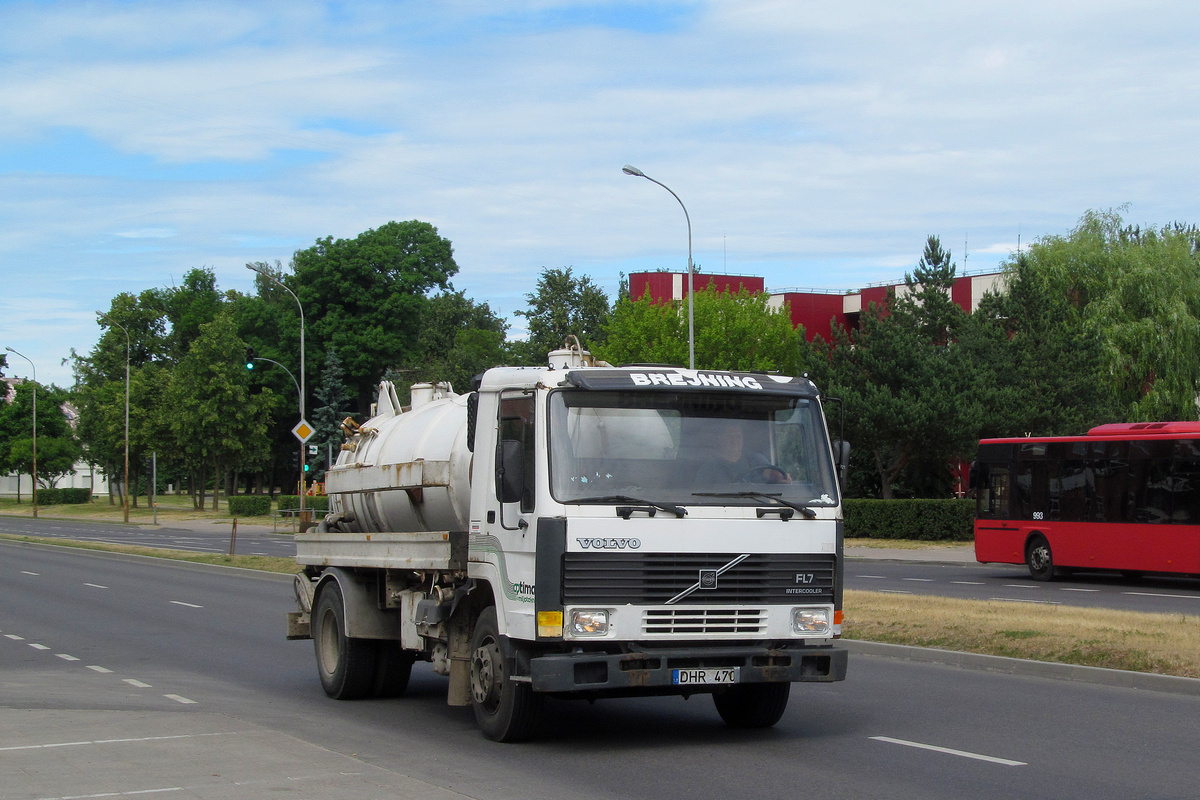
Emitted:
<point x="122" y="675"/>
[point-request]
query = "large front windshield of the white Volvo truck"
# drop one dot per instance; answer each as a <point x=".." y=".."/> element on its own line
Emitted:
<point x="689" y="448"/>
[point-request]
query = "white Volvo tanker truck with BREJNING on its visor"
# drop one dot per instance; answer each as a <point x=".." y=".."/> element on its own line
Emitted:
<point x="583" y="532"/>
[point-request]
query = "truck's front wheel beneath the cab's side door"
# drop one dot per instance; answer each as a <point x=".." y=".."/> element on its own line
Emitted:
<point x="506" y="711"/>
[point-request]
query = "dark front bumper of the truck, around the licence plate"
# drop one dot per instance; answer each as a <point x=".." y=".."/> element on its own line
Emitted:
<point x="653" y="669"/>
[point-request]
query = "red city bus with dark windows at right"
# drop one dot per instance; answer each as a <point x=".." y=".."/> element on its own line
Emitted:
<point x="1125" y="497"/>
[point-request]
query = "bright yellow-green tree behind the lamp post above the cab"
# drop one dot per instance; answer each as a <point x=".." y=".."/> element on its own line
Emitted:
<point x="734" y="332"/>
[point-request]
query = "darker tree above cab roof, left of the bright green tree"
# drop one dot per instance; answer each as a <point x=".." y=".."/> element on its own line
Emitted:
<point x="562" y="305"/>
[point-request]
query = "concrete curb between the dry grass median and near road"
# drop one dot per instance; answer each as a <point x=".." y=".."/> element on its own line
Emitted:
<point x="1024" y="667"/>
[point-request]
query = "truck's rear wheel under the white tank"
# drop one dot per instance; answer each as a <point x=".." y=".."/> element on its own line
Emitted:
<point x="347" y="667"/>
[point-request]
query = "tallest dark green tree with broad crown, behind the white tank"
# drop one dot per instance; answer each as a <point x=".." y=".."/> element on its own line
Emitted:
<point x="365" y="297"/>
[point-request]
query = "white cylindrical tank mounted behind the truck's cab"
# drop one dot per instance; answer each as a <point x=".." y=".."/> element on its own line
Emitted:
<point x="406" y="470"/>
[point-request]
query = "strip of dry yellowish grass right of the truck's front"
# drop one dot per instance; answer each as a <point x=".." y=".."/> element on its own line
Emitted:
<point x="1096" y="637"/>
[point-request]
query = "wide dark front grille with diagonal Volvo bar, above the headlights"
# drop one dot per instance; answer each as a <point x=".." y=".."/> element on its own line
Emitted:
<point x="655" y="579"/>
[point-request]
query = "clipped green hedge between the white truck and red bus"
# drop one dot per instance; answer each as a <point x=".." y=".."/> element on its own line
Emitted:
<point x="951" y="521"/>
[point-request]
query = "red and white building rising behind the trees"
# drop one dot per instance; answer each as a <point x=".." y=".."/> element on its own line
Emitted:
<point x="815" y="310"/>
